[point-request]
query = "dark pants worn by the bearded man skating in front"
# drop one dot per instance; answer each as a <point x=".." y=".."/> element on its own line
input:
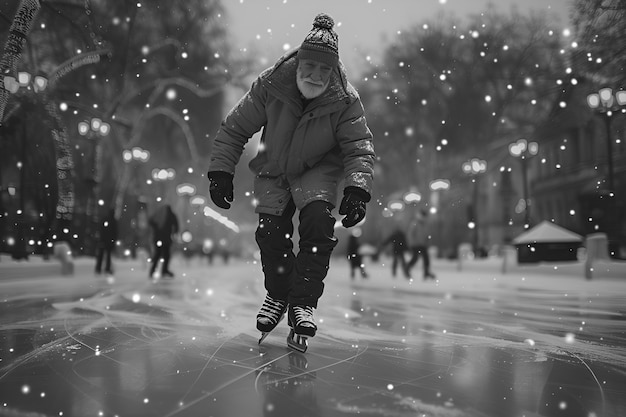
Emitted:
<point x="297" y="279"/>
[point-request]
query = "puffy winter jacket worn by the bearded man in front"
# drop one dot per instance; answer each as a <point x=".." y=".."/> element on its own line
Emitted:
<point x="304" y="152"/>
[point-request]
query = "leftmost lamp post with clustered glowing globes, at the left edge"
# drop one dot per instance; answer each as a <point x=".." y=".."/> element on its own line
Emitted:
<point x="23" y="84"/>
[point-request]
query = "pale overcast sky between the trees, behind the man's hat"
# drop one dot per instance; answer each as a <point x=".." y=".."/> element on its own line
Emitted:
<point x="364" y="26"/>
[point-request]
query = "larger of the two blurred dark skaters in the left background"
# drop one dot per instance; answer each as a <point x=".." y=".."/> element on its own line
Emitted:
<point x="164" y="224"/>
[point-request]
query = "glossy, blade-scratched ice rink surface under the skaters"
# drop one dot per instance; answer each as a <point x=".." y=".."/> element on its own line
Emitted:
<point x="534" y="341"/>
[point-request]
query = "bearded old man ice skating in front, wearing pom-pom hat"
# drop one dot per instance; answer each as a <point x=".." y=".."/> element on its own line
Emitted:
<point x="314" y="136"/>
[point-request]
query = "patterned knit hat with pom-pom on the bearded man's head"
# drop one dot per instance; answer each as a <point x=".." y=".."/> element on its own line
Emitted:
<point x="322" y="43"/>
